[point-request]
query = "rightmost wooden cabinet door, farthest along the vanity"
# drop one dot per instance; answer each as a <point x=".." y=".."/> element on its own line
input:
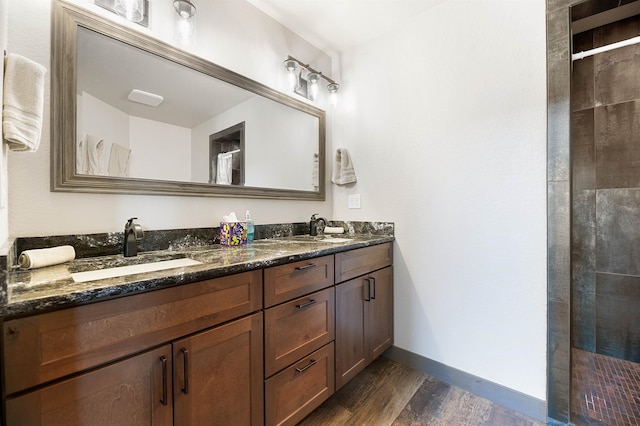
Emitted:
<point x="379" y="330"/>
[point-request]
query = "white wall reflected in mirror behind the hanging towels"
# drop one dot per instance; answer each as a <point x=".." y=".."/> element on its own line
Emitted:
<point x="158" y="150"/>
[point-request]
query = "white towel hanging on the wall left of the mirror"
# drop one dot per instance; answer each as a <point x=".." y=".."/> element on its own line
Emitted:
<point x="23" y="103"/>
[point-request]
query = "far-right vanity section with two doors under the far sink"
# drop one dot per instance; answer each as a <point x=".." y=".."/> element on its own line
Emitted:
<point x="364" y="310"/>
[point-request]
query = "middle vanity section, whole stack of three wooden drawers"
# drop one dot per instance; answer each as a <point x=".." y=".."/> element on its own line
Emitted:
<point x="299" y="335"/>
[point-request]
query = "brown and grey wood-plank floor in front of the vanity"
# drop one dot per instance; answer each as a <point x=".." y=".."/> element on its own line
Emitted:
<point x="389" y="393"/>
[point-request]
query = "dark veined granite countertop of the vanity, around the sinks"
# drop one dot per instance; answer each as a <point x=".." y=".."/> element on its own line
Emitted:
<point x="51" y="288"/>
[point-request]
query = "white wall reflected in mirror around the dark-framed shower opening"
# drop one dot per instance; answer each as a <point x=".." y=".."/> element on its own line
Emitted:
<point x="276" y="156"/>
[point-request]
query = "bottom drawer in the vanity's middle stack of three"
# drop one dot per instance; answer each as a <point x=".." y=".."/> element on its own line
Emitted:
<point x="297" y="391"/>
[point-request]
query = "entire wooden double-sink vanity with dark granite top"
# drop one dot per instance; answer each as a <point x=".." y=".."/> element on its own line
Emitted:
<point x="256" y="334"/>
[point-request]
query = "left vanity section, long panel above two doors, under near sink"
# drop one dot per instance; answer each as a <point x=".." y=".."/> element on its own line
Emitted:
<point x="222" y="360"/>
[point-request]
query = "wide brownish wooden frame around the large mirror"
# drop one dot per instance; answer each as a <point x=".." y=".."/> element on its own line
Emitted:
<point x="66" y="20"/>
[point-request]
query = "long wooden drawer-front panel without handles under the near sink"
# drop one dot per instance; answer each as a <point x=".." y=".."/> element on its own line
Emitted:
<point x="49" y="346"/>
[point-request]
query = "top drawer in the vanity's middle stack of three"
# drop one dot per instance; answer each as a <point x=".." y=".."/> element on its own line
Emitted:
<point x="285" y="282"/>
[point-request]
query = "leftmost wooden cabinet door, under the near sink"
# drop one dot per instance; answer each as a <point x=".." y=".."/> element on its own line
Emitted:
<point x="135" y="391"/>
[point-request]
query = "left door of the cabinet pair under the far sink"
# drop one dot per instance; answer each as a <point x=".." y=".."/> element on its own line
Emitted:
<point x="350" y="329"/>
